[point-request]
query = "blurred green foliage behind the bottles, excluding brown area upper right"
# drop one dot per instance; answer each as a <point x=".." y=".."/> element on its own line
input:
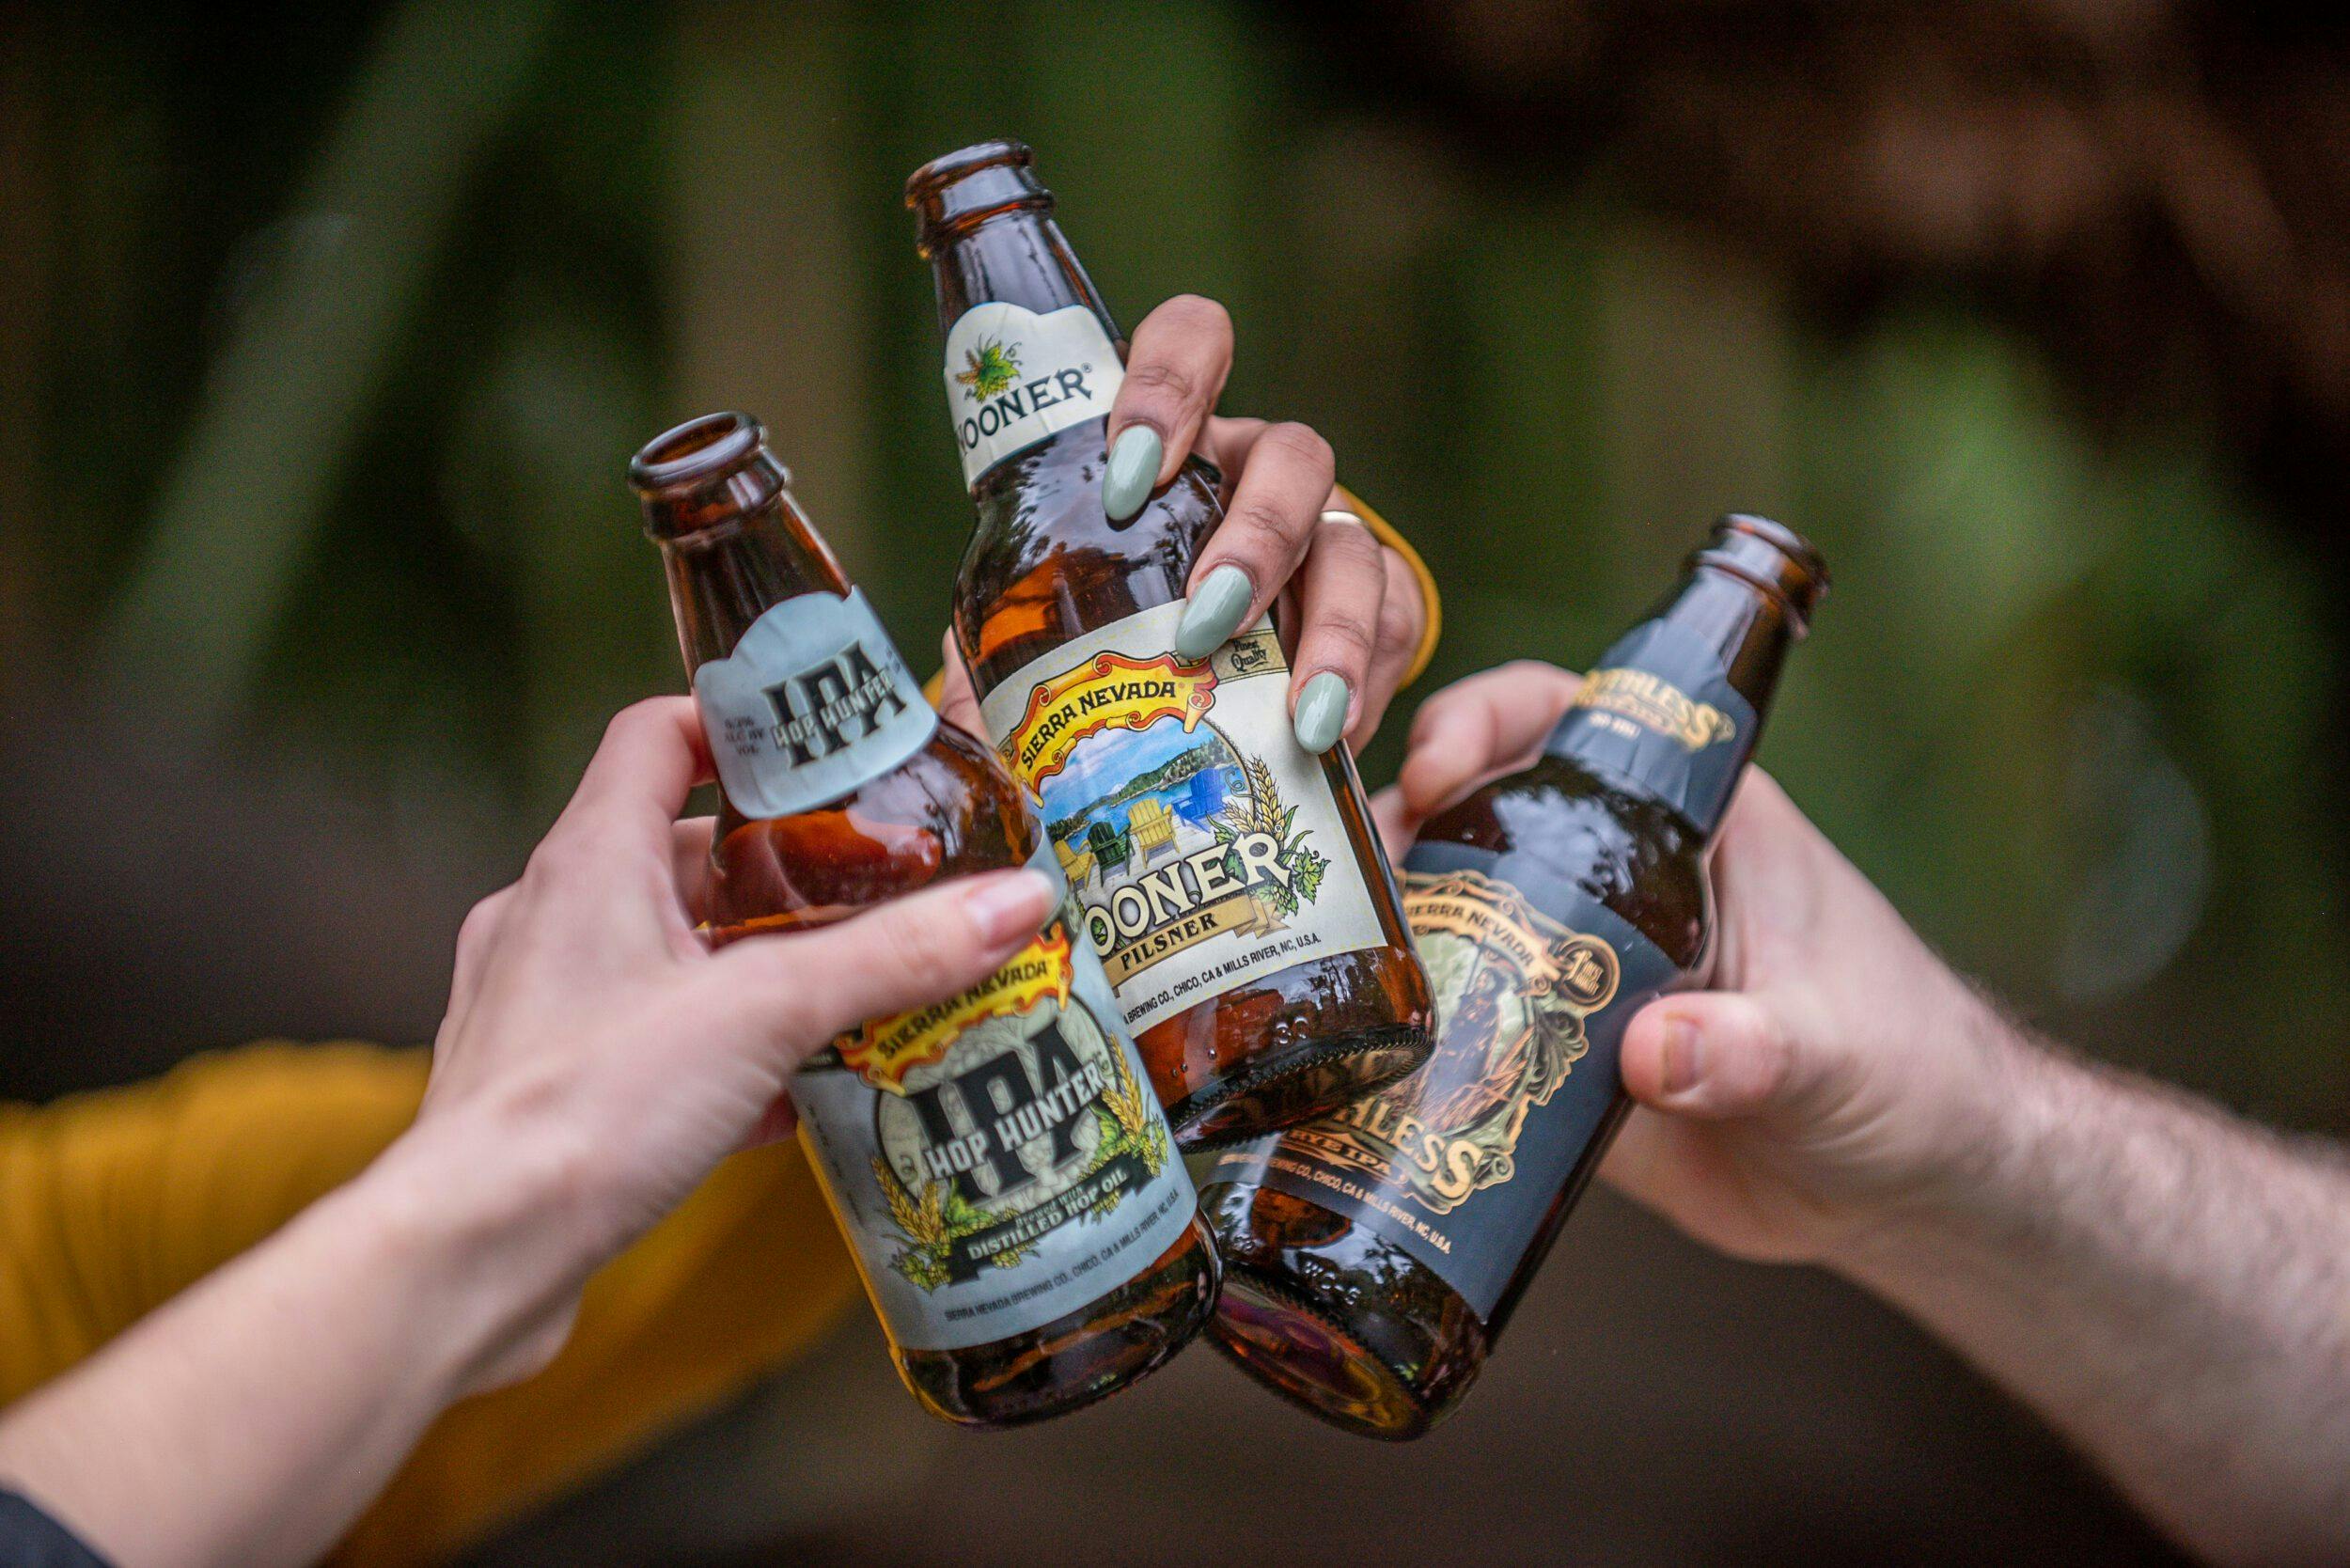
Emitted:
<point x="337" y="330"/>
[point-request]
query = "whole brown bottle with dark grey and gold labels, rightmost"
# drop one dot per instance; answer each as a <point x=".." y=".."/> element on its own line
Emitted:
<point x="1374" y="1257"/>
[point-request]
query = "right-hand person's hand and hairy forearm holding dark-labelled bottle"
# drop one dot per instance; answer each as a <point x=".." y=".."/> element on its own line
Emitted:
<point x="2161" y="1282"/>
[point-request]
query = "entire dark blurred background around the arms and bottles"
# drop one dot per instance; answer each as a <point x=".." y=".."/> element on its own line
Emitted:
<point x="328" y="330"/>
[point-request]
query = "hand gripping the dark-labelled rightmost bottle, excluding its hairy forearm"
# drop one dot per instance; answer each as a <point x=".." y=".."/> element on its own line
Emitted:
<point x="1834" y="1076"/>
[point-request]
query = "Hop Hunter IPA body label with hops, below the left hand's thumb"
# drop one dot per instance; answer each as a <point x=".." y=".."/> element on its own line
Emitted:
<point x="998" y="1160"/>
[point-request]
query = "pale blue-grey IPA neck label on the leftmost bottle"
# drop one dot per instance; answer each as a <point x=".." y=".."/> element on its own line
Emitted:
<point x="812" y="704"/>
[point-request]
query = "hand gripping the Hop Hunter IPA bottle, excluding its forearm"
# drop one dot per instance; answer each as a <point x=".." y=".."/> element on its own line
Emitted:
<point x="600" y="1059"/>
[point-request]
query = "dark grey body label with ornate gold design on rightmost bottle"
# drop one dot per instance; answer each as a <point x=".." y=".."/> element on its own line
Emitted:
<point x="1461" y="1162"/>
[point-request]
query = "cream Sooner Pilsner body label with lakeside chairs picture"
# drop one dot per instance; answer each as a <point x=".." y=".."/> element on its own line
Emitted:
<point x="1202" y="840"/>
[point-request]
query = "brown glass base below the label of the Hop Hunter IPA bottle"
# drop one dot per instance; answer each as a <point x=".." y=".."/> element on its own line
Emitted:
<point x="1080" y="1360"/>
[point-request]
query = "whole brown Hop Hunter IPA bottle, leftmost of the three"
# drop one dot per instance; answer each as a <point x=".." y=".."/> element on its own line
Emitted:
<point x="1007" y="1181"/>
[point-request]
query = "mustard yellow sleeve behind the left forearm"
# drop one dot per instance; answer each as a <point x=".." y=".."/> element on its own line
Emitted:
<point x="114" y="1202"/>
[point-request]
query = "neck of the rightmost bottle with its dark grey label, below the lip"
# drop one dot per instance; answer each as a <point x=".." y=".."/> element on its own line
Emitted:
<point x="1677" y="706"/>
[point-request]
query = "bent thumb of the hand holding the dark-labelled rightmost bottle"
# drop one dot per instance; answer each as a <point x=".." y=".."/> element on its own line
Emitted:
<point x="1712" y="1057"/>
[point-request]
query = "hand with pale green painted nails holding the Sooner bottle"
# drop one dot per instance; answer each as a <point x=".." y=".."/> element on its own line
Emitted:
<point x="1359" y="605"/>
